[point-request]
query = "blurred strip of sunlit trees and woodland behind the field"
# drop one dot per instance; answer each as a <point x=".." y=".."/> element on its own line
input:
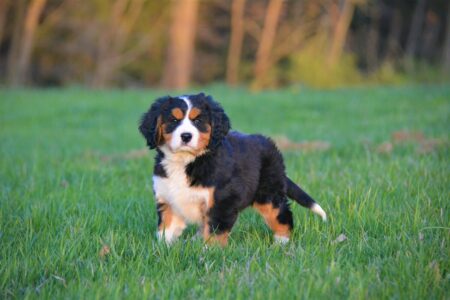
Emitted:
<point x="260" y="43"/>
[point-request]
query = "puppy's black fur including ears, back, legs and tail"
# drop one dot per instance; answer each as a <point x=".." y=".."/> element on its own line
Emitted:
<point x="243" y="169"/>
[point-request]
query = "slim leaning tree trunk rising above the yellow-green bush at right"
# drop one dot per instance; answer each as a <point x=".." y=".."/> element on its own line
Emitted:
<point x="340" y="32"/>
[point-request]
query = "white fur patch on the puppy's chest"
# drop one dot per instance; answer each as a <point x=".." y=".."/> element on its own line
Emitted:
<point x="186" y="201"/>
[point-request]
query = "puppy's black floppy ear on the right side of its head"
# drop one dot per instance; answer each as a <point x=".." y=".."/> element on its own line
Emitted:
<point x="220" y="122"/>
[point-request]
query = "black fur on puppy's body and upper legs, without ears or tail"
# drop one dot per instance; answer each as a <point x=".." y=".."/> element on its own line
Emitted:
<point x="244" y="170"/>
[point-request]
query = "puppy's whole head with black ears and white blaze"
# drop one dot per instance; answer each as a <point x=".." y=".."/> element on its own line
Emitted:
<point x="189" y="123"/>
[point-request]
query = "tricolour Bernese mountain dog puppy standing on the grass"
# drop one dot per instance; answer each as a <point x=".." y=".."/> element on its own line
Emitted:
<point x="206" y="174"/>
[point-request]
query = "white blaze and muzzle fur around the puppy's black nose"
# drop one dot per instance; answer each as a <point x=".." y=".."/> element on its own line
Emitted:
<point x="185" y="126"/>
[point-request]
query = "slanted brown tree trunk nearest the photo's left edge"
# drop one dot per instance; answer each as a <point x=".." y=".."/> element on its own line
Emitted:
<point x="34" y="11"/>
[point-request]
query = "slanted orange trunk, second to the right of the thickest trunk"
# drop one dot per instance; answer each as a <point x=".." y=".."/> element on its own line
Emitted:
<point x="262" y="63"/>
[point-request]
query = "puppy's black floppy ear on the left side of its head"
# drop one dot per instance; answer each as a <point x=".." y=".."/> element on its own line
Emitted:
<point x="150" y="125"/>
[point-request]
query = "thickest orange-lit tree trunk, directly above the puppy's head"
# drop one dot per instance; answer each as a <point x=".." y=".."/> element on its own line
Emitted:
<point x="181" y="47"/>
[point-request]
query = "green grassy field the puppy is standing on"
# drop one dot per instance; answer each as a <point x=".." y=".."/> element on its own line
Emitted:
<point x="77" y="217"/>
